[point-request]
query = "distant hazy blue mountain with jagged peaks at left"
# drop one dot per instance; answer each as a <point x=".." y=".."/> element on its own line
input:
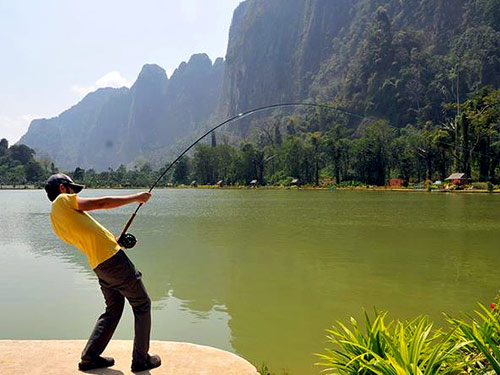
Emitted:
<point x="114" y="126"/>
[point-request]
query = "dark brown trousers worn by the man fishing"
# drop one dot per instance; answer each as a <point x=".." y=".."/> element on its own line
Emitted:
<point x="119" y="279"/>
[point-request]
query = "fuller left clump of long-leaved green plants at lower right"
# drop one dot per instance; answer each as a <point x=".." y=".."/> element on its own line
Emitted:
<point x="399" y="348"/>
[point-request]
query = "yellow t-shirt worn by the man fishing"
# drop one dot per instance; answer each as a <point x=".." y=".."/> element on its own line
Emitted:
<point x="81" y="230"/>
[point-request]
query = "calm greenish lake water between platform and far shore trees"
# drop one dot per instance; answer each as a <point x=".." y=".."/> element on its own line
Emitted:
<point x="259" y="273"/>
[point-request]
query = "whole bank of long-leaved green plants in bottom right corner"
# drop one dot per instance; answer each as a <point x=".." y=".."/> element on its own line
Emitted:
<point x="471" y="345"/>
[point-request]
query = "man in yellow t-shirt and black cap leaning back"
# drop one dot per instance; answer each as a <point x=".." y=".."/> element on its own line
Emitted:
<point x="117" y="276"/>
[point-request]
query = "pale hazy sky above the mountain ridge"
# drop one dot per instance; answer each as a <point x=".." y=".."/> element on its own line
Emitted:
<point x="53" y="52"/>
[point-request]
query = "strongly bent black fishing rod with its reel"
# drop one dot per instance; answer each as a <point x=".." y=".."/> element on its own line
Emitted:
<point x="128" y="240"/>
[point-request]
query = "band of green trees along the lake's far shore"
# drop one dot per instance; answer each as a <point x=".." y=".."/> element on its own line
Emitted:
<point x="316" y="148"/>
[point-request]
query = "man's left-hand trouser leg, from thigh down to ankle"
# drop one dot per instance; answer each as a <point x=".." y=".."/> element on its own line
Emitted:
<point x="106" y="324"/>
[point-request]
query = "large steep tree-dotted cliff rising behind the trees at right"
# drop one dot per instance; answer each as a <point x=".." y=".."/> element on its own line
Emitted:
<point x="286" y="50"/>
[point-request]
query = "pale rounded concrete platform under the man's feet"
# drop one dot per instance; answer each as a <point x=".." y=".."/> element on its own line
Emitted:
<point x="61" y="357"/>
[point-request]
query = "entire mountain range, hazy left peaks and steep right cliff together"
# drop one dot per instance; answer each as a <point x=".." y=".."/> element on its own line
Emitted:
<point x="392" y="59"/>
